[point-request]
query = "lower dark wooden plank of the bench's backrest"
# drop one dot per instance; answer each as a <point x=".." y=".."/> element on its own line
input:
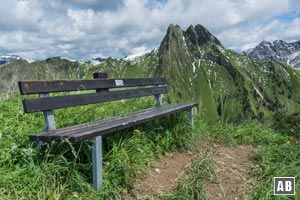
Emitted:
<point x="51" y="103"/>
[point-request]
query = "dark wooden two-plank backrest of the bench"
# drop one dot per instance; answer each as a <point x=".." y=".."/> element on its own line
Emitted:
<point x="141" y="87"/>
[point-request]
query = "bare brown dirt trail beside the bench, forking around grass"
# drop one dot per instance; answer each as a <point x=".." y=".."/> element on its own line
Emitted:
<point x="233" y="165"/>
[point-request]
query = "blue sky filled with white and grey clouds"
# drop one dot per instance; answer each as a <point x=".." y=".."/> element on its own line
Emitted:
<point x="78" y="29"/>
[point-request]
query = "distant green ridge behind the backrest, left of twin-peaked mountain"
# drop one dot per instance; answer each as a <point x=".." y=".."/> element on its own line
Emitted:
<point x="61" y="68"/>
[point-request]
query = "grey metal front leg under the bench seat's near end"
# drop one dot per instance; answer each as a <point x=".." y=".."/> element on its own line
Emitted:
<point x="97" y="163"/>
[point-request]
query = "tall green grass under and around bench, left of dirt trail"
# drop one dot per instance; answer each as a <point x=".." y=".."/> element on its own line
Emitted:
<point x="63" y="170"/>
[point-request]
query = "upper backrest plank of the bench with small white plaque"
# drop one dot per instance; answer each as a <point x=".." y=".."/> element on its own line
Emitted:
<point x="34" y="87"/>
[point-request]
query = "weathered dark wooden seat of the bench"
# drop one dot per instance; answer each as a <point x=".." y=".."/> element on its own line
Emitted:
<point x="108" y="126"/>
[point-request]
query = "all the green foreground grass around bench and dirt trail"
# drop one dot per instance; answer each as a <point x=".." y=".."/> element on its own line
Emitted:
<point x="62" y="170"/>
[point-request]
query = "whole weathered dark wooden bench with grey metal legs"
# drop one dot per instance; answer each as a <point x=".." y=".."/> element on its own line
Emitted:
<point x="132" y="88"/>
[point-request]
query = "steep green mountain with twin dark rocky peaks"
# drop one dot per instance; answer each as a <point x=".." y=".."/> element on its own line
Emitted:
<point x="228" y="86"/>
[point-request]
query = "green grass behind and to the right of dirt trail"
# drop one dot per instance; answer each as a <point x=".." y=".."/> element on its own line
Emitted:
<point x="277" y="154"/>
